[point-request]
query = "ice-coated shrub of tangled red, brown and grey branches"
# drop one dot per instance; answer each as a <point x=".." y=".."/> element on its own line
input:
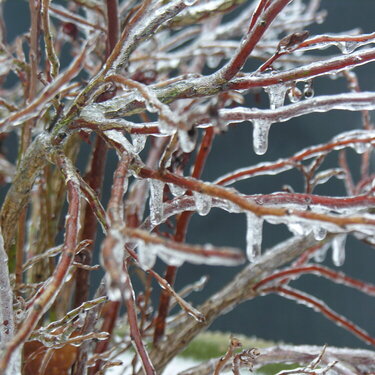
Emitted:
<point x="138" y="82"/>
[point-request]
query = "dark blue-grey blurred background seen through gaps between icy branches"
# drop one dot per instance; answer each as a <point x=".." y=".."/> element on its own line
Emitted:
<point x="273" y="317"/>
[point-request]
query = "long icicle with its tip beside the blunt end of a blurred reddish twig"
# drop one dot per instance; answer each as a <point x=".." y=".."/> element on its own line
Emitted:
<point x="253" y="236"/>
